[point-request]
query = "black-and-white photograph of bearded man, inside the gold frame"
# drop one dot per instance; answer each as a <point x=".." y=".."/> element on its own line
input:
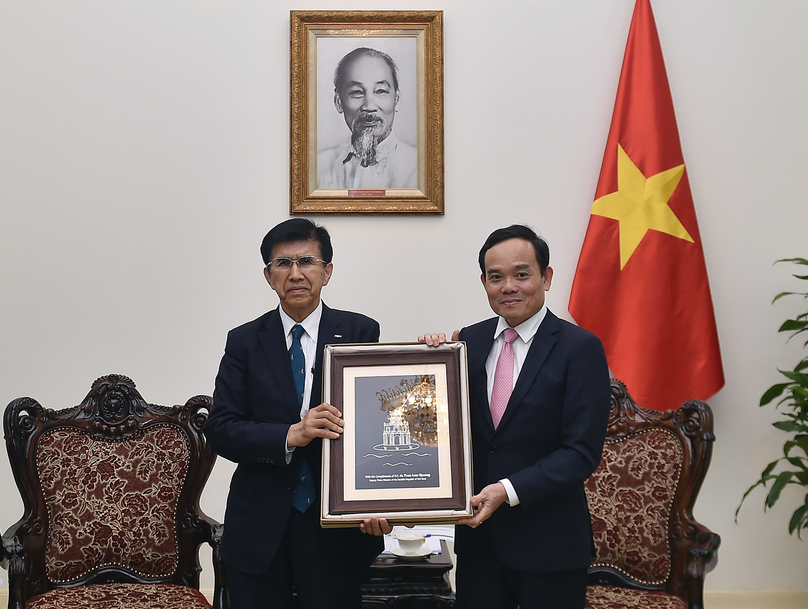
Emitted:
<point x="367" y="113"/>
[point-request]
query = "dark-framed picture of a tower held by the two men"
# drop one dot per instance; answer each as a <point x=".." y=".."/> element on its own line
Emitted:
<point x="405" y="452"/>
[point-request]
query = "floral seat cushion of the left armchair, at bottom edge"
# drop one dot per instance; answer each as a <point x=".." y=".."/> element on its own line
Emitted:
<point x="121" y="596"/>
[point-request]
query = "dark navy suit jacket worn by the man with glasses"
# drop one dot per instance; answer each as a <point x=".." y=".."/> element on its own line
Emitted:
<point x="254" y="404"/>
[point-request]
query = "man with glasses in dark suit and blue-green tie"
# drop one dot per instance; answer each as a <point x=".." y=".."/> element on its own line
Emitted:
<point x="267" y="418"/>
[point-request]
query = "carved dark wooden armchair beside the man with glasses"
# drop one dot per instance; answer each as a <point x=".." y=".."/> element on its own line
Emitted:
<point x="111" y="503"/>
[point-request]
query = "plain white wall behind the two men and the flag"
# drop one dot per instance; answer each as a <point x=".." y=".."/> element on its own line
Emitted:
<point x="144" y="154"/>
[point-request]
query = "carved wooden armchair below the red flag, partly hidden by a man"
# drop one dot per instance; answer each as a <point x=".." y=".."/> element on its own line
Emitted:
<point x="651" y="552"/>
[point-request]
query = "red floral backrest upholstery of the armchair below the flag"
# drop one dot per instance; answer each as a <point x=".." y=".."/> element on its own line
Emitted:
<point x="630" y="497"/>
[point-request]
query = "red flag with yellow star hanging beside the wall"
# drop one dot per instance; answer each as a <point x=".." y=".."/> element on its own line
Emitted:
<point x="641" y="283"/>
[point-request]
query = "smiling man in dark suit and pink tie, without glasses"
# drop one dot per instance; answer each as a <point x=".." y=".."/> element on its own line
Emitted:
<point x="539" y="400"/>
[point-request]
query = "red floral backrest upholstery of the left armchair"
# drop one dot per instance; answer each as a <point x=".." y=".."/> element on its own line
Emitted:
<point x="111" y="502"/>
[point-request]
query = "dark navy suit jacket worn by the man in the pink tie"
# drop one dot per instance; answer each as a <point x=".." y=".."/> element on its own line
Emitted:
<point x="548" y="443"/>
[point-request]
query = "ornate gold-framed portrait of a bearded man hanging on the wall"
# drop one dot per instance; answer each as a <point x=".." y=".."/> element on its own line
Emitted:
<point x="366" y="112"/>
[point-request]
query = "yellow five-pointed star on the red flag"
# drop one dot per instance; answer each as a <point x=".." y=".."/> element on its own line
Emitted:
<point x="641" y="204"/>
